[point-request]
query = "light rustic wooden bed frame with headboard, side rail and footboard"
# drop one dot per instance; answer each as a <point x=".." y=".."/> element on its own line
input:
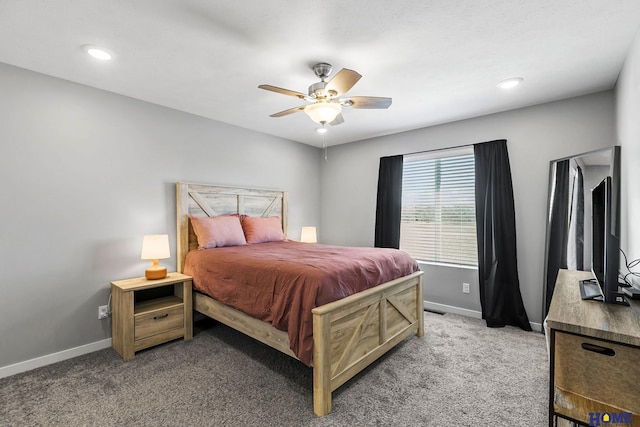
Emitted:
<point x="348" y="335"/>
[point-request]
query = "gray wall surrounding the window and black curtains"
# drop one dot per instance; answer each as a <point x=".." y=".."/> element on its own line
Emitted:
<point x="536" y="135"/>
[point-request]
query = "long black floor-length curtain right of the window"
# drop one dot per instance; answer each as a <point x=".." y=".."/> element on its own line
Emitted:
<point x="500" y="296"/>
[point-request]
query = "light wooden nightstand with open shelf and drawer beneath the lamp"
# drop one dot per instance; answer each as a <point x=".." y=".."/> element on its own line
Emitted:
<point x="146" y="312"/>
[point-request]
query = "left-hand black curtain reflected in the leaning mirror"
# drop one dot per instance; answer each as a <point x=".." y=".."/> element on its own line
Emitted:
<point x="558" y="234"/>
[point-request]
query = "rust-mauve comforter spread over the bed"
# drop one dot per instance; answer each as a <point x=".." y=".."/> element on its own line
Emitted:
<point x="280" y="282"/>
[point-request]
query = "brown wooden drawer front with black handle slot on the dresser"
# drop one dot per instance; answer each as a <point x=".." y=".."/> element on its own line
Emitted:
<point x="588" y="369"/>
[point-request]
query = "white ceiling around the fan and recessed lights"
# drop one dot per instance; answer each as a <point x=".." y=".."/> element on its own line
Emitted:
<point x="439" y="60"/>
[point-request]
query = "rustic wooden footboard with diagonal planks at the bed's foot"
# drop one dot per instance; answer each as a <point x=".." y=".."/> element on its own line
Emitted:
<point x="351" y="333"/>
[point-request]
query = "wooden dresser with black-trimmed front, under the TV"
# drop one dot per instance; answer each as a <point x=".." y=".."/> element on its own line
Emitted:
<point x="594" y="353"/>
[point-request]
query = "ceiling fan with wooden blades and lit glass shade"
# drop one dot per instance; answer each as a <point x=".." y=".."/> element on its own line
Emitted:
<point x="327" y="97"/>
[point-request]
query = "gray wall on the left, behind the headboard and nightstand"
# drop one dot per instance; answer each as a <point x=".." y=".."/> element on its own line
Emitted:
<point x="85" y="174"/>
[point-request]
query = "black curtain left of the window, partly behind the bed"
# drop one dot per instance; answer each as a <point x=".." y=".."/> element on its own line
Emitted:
<point x="389" y="204"/>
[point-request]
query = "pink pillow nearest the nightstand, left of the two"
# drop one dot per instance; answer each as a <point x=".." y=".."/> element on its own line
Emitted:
<point x="218" y="231"/>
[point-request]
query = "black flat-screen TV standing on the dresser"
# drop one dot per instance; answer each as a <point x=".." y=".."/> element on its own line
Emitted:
<point x="605" y="242"/>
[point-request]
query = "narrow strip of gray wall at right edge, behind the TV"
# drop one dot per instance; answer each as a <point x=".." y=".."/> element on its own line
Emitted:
<point x="628" y="126"/>
